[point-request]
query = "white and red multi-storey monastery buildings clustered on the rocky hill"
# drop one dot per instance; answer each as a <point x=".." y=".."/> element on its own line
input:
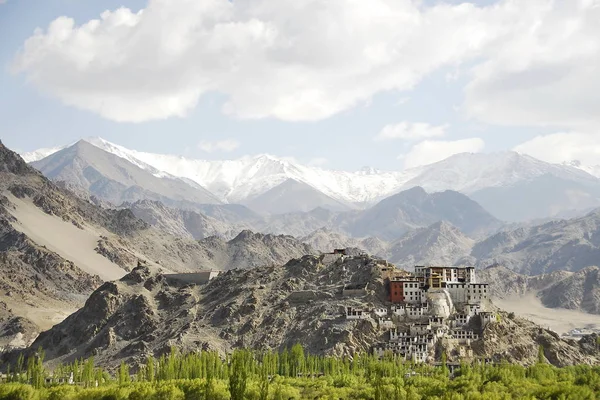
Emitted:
<point x="434" y="305"/>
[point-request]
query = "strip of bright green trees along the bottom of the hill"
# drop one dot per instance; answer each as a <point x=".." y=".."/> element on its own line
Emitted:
<point x="292" y="374"/>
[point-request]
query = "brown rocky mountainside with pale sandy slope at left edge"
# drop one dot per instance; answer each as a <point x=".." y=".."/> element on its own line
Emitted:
<point x="56" y="248"/>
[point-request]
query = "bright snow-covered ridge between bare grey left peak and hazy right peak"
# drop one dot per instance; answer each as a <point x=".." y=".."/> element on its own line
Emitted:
<point x="243" y="179"/>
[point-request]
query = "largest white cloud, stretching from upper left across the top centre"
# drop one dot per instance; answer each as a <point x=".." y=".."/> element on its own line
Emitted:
<point x="286" y="59"/>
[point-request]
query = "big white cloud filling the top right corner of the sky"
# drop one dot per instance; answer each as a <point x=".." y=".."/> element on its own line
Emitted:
<point x="545" y="71"/>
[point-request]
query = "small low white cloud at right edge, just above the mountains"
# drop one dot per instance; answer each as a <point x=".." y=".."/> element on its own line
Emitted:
<point x="564" y="147"/>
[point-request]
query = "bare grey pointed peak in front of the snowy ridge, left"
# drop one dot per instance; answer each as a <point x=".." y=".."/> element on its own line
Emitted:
<point x="116" y="180"/>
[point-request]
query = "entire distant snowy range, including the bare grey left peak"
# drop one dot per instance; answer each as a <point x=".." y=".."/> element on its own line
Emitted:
<point x="512" y="187"/>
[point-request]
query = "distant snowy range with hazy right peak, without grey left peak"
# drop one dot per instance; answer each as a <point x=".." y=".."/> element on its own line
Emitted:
<point x="513" y="187"/>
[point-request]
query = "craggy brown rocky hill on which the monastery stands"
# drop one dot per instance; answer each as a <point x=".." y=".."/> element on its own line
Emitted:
<point x="269" y="307"/>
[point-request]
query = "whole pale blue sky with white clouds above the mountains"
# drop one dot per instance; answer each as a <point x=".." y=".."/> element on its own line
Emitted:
<point x="339" y="84"/>
